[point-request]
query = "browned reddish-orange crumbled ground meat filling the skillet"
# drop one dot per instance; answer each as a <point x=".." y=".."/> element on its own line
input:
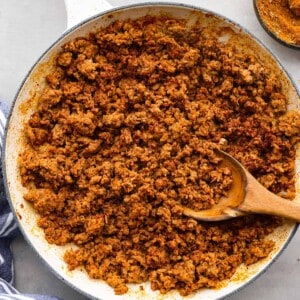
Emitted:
<point x="124" y="134"/>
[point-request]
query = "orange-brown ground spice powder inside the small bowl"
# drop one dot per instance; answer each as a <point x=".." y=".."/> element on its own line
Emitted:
<point x="279" y="19"/>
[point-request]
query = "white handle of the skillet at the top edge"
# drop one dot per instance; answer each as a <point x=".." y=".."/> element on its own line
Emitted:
<point x="78" y="10"/>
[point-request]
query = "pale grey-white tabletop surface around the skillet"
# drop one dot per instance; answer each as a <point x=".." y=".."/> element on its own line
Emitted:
<point x="27" y="28"/>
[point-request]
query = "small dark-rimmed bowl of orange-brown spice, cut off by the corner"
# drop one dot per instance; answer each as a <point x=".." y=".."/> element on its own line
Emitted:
<point x="281" y="19"/>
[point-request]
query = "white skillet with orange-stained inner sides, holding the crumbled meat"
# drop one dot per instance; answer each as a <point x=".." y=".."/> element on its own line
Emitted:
<point x="23" y="106"/>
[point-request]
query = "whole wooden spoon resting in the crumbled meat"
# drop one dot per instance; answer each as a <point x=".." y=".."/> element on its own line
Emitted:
<point x="246" y="195"/>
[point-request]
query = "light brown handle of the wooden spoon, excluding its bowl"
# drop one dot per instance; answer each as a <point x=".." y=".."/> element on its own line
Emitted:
<point x="259" y="200"/>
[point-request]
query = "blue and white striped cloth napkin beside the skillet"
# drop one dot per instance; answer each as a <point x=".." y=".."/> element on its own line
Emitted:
<point x="9" y="230"/>
